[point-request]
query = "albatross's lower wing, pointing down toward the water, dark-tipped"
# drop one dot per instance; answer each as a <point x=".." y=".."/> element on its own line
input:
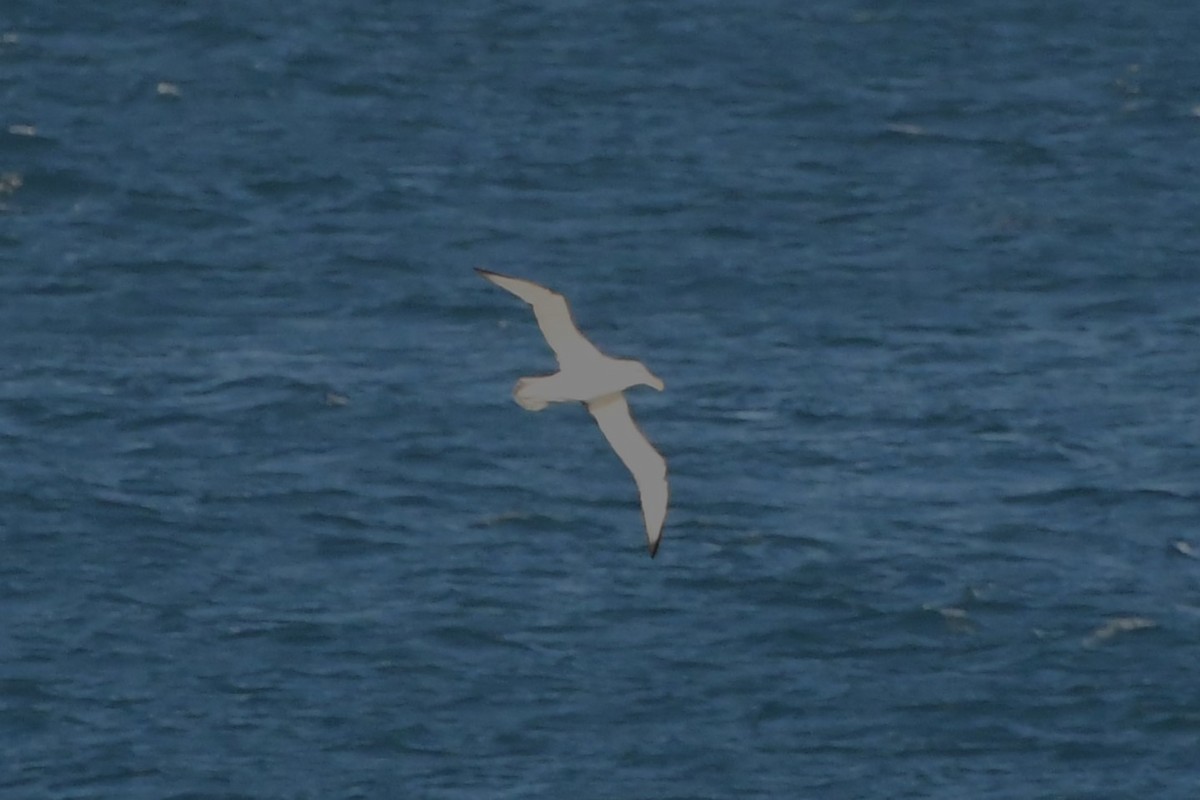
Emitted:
<point x="650" y="470"/>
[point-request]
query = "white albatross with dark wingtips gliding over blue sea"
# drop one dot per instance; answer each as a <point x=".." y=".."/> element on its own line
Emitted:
<point x="587" y="376"/>
